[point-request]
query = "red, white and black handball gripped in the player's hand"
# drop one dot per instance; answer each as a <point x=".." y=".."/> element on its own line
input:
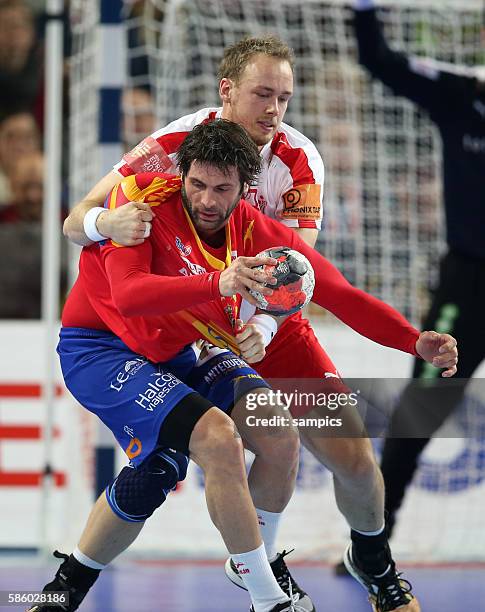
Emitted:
<point x="295" y="282"/>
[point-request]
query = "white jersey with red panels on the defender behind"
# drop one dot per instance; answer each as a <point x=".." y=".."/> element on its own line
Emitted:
<point x="290" y="185"/>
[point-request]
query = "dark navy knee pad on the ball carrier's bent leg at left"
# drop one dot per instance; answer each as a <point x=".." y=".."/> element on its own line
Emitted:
<point x="137" y="492"/>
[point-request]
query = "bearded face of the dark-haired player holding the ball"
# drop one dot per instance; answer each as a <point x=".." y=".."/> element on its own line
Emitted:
<point x="210" y="196"/>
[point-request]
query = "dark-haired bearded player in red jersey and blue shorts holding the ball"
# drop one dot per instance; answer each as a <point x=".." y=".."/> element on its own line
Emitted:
<point x="148" y="302"/>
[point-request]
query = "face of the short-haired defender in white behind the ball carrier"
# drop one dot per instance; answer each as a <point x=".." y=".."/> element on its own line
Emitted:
<point x="258" y="101"/>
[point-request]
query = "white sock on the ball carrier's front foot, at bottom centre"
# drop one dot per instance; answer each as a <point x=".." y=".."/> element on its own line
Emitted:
<point x="254" y="569"/>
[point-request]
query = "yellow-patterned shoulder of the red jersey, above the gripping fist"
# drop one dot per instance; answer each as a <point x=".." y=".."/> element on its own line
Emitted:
<point x="153" y="188"/>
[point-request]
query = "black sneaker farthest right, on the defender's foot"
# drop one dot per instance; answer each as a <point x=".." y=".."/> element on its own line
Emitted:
<point x="387" y="593"/>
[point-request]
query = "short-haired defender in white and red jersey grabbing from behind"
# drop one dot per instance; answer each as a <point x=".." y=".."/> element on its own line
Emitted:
<point x="256" y="84"/>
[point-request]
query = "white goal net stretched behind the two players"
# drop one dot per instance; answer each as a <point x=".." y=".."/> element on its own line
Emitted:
<point x="383" y="224"/>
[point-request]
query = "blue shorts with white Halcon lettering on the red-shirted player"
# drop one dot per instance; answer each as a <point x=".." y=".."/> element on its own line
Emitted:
<point x="133" y="396"/>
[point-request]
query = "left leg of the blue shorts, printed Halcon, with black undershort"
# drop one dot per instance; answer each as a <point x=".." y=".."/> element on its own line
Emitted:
<point x="131" y="395"/>
